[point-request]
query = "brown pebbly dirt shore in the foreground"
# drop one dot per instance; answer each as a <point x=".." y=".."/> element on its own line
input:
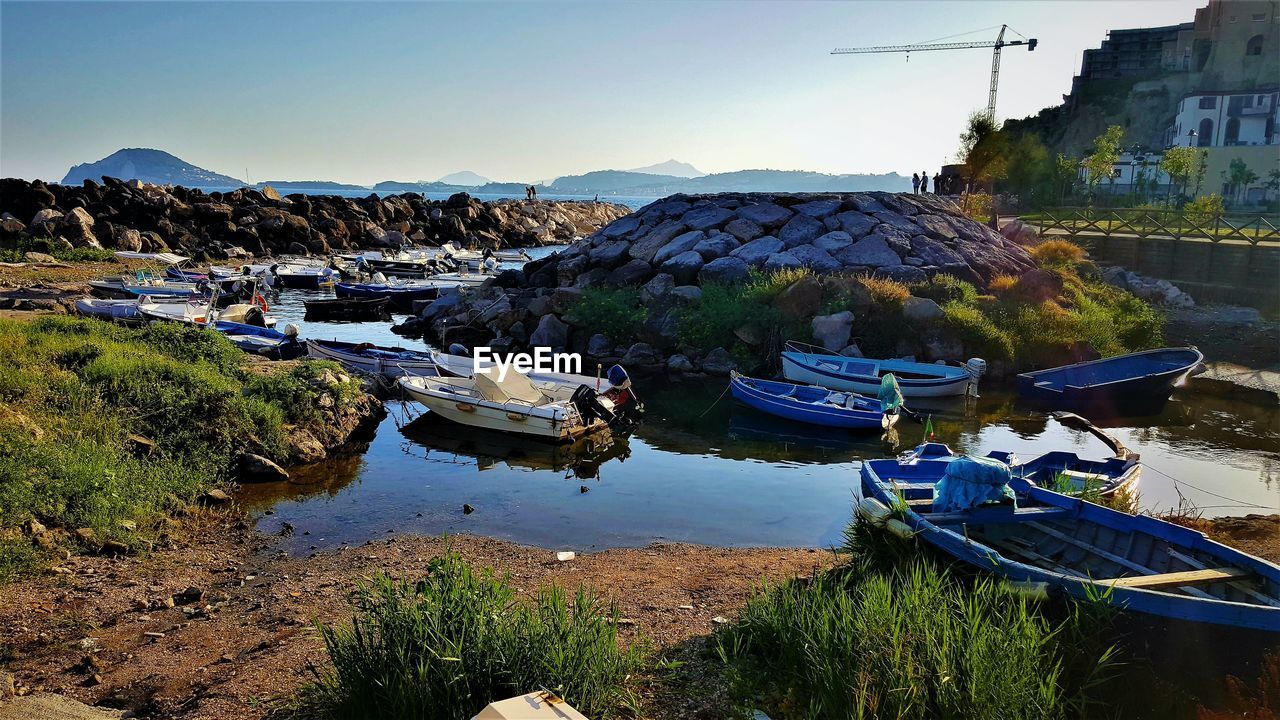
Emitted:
<point x="103" y="631"/>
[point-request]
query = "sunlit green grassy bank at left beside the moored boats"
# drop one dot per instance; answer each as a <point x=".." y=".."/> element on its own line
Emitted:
<point x="76" y="390"/>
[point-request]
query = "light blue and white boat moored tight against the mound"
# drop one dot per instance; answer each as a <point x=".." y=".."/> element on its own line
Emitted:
<point x="812" y="366"/>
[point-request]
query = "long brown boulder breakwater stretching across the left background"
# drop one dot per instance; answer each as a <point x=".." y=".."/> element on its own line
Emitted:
<point x="217" y="226"/>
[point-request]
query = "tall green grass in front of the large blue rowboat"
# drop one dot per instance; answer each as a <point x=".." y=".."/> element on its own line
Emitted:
<point x="899" y="636"/>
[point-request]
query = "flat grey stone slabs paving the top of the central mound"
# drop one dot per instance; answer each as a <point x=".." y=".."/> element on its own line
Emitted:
<point x="723" y="238"/>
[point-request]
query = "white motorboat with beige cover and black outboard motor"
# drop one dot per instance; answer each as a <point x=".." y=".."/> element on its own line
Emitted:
<point x="514" y="405"/>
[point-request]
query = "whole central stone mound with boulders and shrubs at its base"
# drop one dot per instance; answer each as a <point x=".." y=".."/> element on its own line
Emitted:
<point x="845" y="265"/>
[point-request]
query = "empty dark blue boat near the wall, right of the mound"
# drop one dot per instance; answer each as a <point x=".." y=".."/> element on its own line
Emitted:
<point x="1139" y="384"/>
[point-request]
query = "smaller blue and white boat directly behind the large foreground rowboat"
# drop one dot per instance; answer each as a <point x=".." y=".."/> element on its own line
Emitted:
<point x="1058" y="471"/>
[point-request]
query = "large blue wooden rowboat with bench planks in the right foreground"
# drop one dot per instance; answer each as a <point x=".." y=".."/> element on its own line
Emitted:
<point x="1063" y="544"/>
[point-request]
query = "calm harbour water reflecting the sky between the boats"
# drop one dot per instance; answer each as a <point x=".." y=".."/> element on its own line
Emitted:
<point x="705" y="471"/>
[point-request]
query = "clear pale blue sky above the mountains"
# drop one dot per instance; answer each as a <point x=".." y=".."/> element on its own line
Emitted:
<point x="524" y="92"/>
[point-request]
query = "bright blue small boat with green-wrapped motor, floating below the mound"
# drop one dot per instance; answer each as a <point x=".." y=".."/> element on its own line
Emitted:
<point x="810" y="404"/>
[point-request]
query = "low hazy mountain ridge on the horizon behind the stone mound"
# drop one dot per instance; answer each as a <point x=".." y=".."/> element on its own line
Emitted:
<point x="632" y="184"/>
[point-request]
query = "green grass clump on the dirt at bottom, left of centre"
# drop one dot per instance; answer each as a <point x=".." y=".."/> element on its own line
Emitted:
<point x="447" y="645"/>
